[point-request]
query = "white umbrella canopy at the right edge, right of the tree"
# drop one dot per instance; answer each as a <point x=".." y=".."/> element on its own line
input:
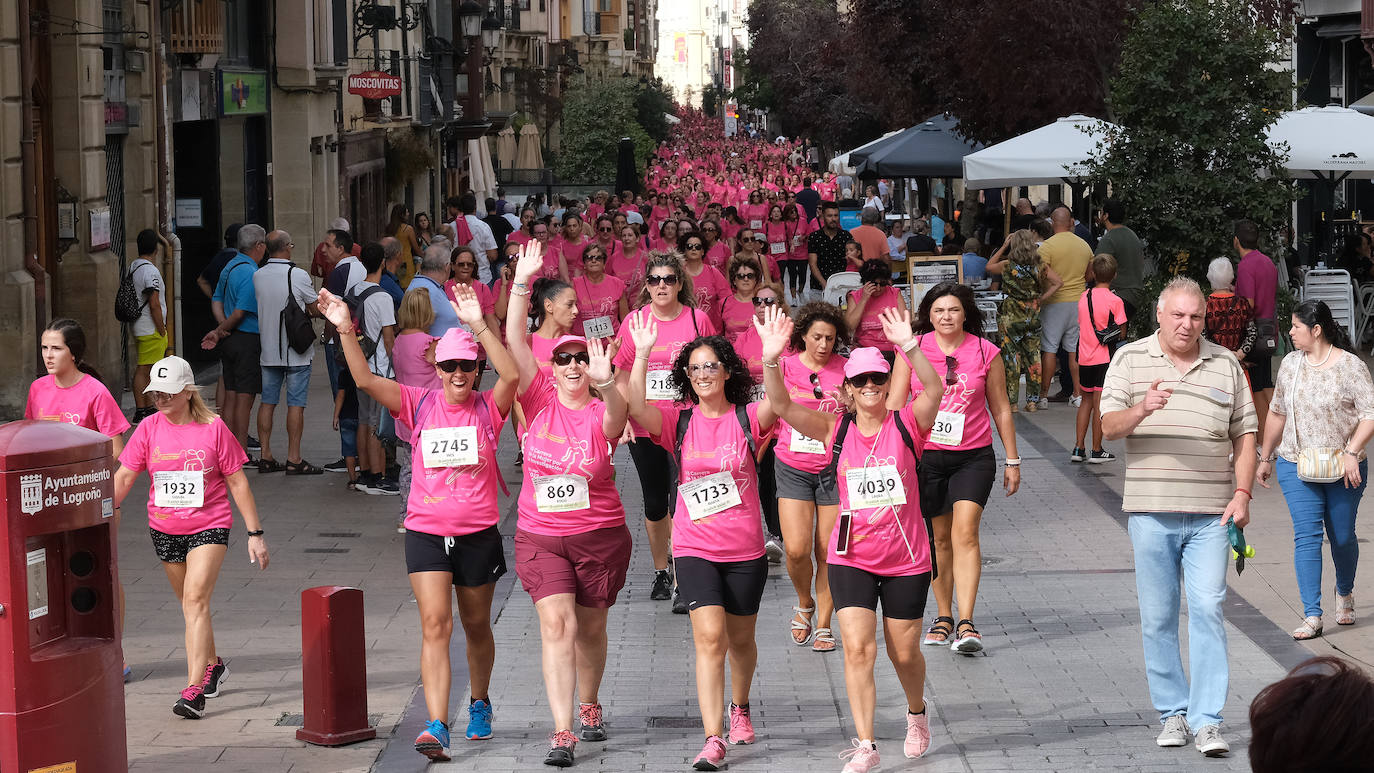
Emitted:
<point x="1329" y="143"/>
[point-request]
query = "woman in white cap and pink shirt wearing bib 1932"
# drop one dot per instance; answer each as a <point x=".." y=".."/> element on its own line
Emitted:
<point x="196" y="465"/>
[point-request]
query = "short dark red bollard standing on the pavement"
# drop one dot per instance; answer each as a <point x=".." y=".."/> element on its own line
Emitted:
<point x="335" y="667"/>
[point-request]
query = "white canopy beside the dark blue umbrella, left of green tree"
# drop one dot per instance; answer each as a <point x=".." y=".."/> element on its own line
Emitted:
<point x="1049" y="156"/>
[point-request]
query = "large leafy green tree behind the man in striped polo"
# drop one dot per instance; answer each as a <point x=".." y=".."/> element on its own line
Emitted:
<point x="1192" y="98"/>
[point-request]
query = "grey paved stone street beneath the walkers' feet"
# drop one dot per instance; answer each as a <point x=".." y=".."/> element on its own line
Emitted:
<point x="1063" y="686"/>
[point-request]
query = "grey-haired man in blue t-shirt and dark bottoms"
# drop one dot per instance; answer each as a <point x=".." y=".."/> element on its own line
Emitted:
<point x="237" y="337"/>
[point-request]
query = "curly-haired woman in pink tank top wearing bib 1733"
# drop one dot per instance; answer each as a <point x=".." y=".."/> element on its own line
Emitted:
<point x="718" y="529"/>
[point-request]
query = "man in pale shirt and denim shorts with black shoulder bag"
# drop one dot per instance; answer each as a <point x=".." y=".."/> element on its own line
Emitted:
<point x="277" y="285"/>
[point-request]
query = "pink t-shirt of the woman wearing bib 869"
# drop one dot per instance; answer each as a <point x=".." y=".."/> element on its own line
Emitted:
<point x="568" y="441"/>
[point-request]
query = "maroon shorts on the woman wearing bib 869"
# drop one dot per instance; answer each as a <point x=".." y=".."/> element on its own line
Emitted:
<point x="590" y="565"/>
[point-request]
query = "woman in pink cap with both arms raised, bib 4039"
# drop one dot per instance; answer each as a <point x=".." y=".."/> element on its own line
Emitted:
<point x="880" y="549"/>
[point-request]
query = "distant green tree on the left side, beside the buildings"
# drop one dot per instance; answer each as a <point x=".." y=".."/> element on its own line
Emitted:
<point x="597" y="115"/>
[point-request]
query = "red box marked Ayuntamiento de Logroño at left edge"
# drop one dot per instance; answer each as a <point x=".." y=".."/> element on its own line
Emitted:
<point x="61" y="682"/>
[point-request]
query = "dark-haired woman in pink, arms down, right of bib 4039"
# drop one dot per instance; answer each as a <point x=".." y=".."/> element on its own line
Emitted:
<point x="960" y="468"/>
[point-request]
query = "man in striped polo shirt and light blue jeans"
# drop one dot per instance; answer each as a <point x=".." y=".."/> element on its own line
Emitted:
<point x="1185" y="410"/>
